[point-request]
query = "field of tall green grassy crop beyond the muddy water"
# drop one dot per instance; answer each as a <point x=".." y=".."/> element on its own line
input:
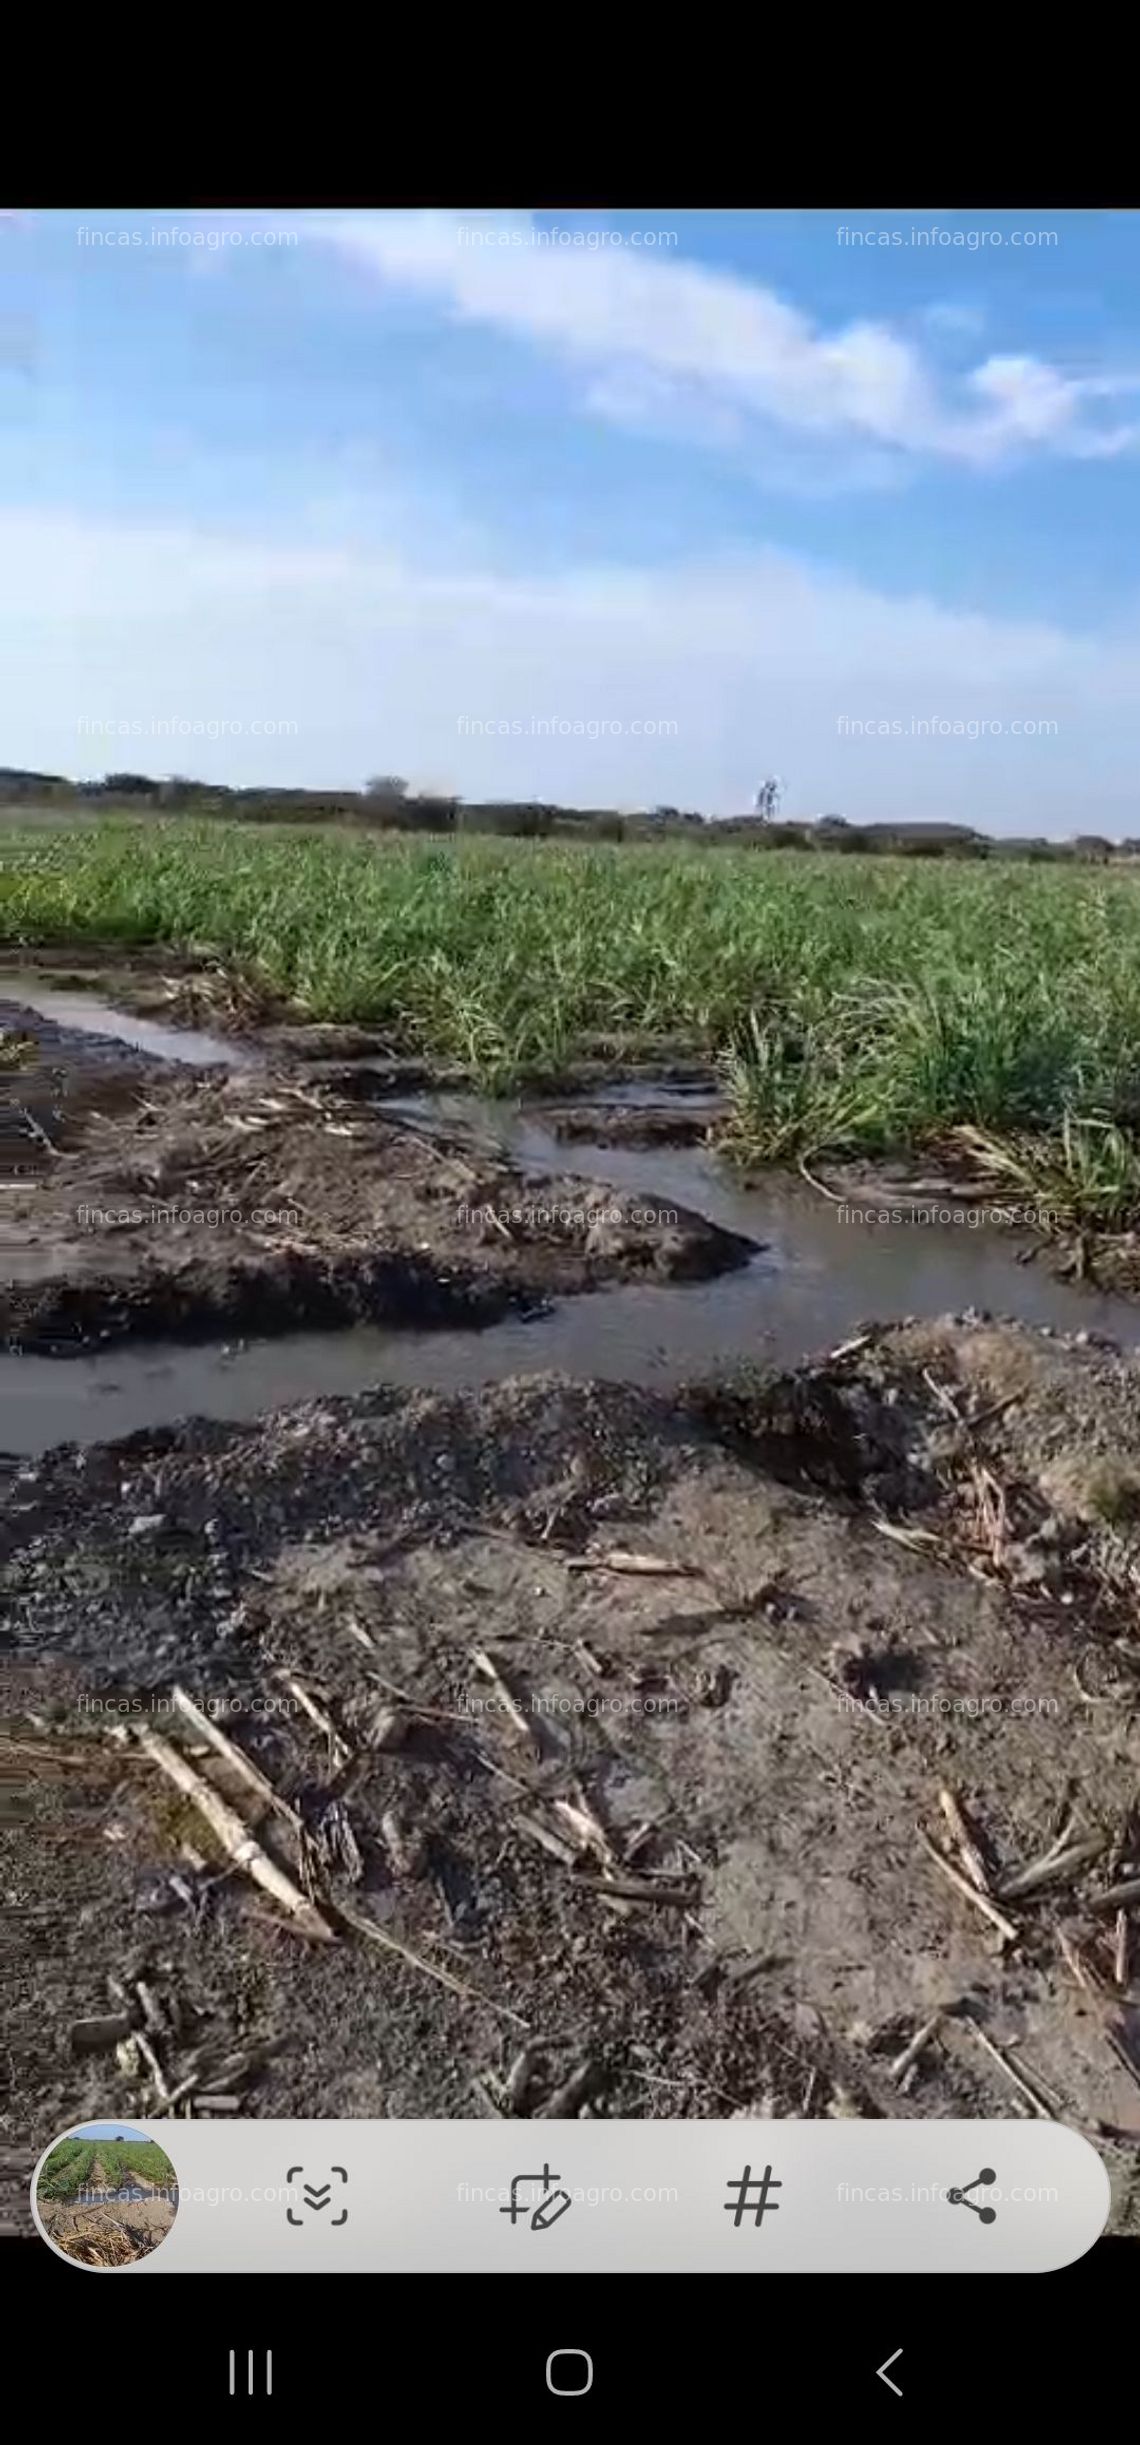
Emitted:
<point x="855" y="1004"/>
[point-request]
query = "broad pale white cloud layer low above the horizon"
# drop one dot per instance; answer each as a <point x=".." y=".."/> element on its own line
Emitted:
<point x="388" y="661"/>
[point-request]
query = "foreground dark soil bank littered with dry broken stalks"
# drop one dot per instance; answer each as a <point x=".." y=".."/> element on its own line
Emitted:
<point x="855" y="1620"/>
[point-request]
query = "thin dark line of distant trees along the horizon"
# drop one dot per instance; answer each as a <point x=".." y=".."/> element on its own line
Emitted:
<point x="390" y="806"/>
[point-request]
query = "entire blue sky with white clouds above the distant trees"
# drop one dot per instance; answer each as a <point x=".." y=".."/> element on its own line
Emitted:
<point x="605" y="510"/>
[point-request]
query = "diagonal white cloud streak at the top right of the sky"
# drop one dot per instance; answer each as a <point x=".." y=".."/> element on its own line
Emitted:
<point x="720" y="356"/>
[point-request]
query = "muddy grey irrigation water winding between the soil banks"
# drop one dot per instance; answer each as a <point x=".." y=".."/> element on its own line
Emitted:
<point x="818" y="1275"/>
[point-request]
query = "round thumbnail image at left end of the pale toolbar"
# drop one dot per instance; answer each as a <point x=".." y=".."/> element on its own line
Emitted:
<point x="106" y="2194"/>
